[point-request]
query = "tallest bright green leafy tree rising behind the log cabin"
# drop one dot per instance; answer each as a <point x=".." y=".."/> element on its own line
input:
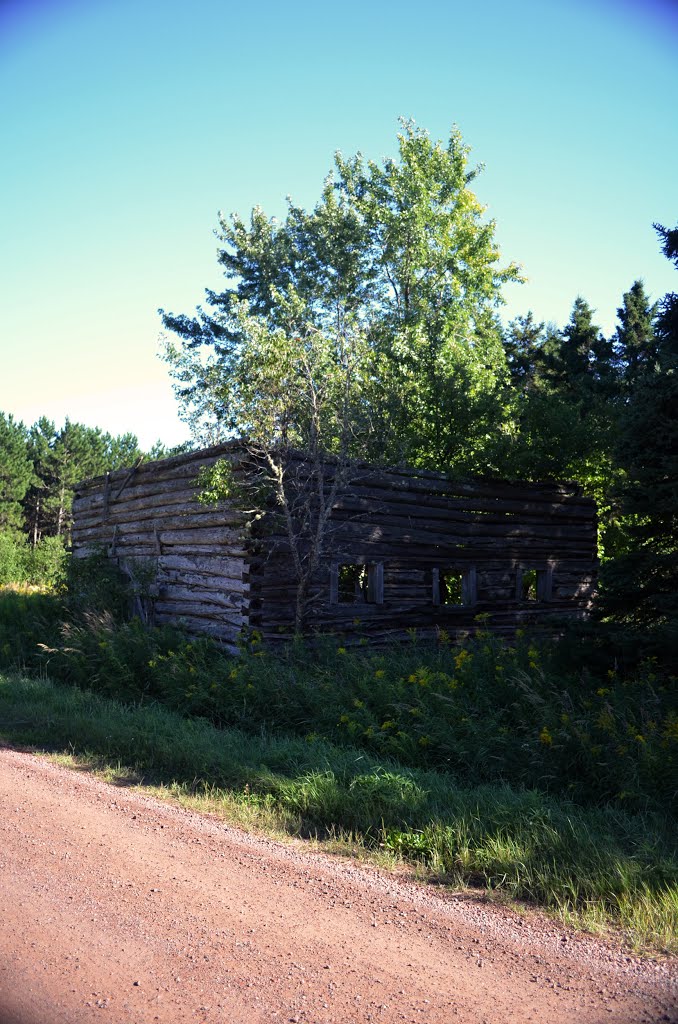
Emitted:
<point x="435" y="283"/>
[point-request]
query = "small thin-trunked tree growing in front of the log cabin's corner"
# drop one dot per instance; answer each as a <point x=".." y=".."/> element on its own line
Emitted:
<point x="295" y="395"/>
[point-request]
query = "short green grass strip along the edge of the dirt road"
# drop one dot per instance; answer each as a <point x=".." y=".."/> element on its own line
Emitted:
<point x="596" y="867"/>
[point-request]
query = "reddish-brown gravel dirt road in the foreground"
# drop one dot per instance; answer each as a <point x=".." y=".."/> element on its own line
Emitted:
<point x="120" y="910"/>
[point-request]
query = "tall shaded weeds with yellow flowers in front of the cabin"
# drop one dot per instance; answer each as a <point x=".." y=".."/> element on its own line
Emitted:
<point x="486" y="712"/>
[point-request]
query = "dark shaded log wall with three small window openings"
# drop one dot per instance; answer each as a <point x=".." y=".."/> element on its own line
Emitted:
<point x="415" y="525"/>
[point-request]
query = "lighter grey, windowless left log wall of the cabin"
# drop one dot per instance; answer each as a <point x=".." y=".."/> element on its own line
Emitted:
<point x="189" y="561"/>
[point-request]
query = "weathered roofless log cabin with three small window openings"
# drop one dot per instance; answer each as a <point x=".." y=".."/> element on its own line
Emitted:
<point x="405" y="550"/>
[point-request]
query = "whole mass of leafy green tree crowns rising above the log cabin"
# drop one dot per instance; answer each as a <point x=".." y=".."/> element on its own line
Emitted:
<point x="366" y="325"/>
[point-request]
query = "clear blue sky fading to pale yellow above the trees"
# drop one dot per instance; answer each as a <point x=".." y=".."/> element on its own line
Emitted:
<point x="128" y="124"/>
